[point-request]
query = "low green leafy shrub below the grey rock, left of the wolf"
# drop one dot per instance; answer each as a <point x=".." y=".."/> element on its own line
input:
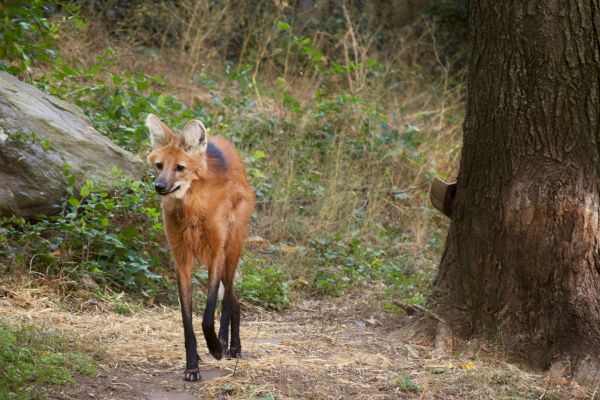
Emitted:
<point x="110" y="232"/>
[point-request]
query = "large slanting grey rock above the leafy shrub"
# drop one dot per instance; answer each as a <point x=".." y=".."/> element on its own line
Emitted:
<point x="39" y="134"/>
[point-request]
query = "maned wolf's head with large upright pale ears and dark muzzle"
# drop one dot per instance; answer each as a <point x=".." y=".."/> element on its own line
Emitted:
<point x="177" y="160"/>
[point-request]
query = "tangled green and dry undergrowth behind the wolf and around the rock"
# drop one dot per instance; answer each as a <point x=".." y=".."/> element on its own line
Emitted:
<point x="339" y="137"/>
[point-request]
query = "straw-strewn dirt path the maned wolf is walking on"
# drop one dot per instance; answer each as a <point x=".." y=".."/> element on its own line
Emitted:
<point x="342" y="348"/>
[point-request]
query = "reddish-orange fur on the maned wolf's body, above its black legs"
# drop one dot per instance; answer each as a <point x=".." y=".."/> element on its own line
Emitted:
<point x="211" y="220"/>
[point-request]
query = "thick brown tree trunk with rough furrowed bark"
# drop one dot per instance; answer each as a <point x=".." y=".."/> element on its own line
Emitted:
<point x="522" y="257"/>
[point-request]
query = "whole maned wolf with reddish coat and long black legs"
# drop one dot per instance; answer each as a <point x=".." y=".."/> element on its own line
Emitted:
<point x="206" y="205"/>
